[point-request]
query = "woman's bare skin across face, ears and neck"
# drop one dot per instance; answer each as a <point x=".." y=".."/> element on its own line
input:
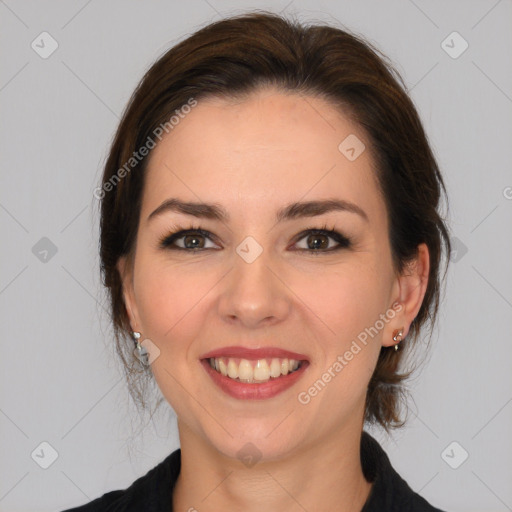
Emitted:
<point x="252" y="157"/>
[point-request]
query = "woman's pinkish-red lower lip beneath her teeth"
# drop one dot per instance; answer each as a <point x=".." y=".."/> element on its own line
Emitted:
<point x="254" y="391"/>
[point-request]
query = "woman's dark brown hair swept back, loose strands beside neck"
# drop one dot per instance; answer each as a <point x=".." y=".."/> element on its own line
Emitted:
<point x="234" y="57"/>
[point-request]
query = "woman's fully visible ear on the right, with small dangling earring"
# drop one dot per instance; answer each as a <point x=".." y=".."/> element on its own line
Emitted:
<point x="408" y="292"/>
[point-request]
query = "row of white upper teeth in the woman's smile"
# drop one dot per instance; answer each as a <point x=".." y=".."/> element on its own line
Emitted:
<point x="248" y="371"/>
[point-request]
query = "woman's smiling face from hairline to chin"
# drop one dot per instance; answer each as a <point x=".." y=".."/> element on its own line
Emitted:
<point x="256" y="280"/>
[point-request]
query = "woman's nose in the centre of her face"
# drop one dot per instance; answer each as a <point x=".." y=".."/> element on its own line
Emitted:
<point x="254" y="294"/>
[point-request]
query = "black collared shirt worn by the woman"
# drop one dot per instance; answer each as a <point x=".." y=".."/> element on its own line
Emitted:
<point x="153" y="491"/>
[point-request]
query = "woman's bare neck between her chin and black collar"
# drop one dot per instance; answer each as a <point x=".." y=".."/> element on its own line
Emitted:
<point x="326" y="475"/>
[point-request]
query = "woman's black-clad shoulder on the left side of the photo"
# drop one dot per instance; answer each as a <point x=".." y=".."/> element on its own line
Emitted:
<point x="151" y="492"/>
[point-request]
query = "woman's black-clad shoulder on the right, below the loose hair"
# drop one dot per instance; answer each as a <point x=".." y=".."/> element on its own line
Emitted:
<point x="390" y="492"/>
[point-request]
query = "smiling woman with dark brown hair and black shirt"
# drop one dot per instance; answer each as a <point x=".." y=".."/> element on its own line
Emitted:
<point x="270" y="238"/>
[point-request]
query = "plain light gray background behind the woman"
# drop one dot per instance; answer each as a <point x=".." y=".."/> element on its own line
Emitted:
<point x="60" y="381"/>
